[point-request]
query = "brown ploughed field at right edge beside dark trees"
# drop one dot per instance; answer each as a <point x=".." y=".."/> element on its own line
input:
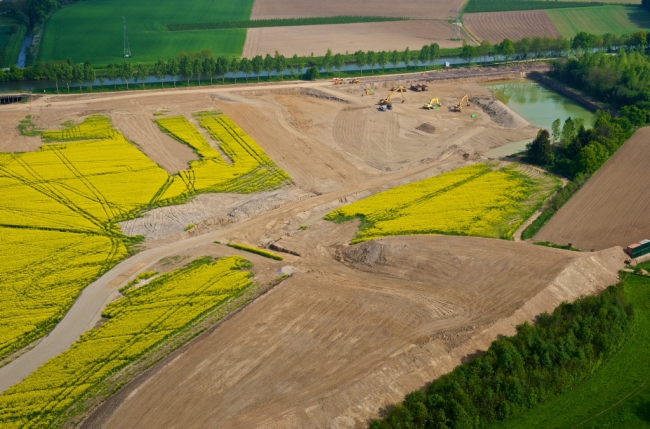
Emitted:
<point x="612" y="208"/>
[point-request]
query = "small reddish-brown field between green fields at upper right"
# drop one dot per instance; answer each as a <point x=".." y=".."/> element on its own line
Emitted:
<point x="496" y="26"/>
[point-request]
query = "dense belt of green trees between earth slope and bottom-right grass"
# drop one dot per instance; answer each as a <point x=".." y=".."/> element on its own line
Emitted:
<point x="519" y="372"/>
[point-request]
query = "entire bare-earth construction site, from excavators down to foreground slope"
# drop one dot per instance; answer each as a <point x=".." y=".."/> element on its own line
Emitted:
<point x="354" y="328"/>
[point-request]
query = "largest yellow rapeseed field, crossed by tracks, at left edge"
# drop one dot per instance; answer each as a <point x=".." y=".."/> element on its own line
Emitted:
<point x="59" y="209"/>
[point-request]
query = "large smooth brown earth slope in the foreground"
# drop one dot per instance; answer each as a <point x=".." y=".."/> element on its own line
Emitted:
<point x="338" y="342"/>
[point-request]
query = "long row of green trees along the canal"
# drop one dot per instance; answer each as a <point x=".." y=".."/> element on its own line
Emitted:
<point x="203" y="64"/>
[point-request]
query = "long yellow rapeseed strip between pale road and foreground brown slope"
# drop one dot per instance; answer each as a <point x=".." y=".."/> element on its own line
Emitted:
<point x="138" y="322"/>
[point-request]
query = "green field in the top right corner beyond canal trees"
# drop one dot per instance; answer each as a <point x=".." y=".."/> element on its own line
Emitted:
<point x="600" y="19"/>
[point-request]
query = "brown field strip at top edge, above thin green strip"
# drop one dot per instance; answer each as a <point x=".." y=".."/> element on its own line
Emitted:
<point x="418" y="9"/>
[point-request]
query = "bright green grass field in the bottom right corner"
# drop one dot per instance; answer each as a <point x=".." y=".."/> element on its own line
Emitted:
<point x="618" y="395"/>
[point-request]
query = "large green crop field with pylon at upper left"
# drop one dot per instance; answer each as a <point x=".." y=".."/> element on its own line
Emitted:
<point x="92" y="30"/>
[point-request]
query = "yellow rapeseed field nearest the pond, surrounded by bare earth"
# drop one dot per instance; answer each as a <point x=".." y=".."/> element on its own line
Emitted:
<point x="479" y="200"/>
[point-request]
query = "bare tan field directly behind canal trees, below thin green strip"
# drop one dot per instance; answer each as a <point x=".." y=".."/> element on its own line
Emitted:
<point x="373" y="36"/>
